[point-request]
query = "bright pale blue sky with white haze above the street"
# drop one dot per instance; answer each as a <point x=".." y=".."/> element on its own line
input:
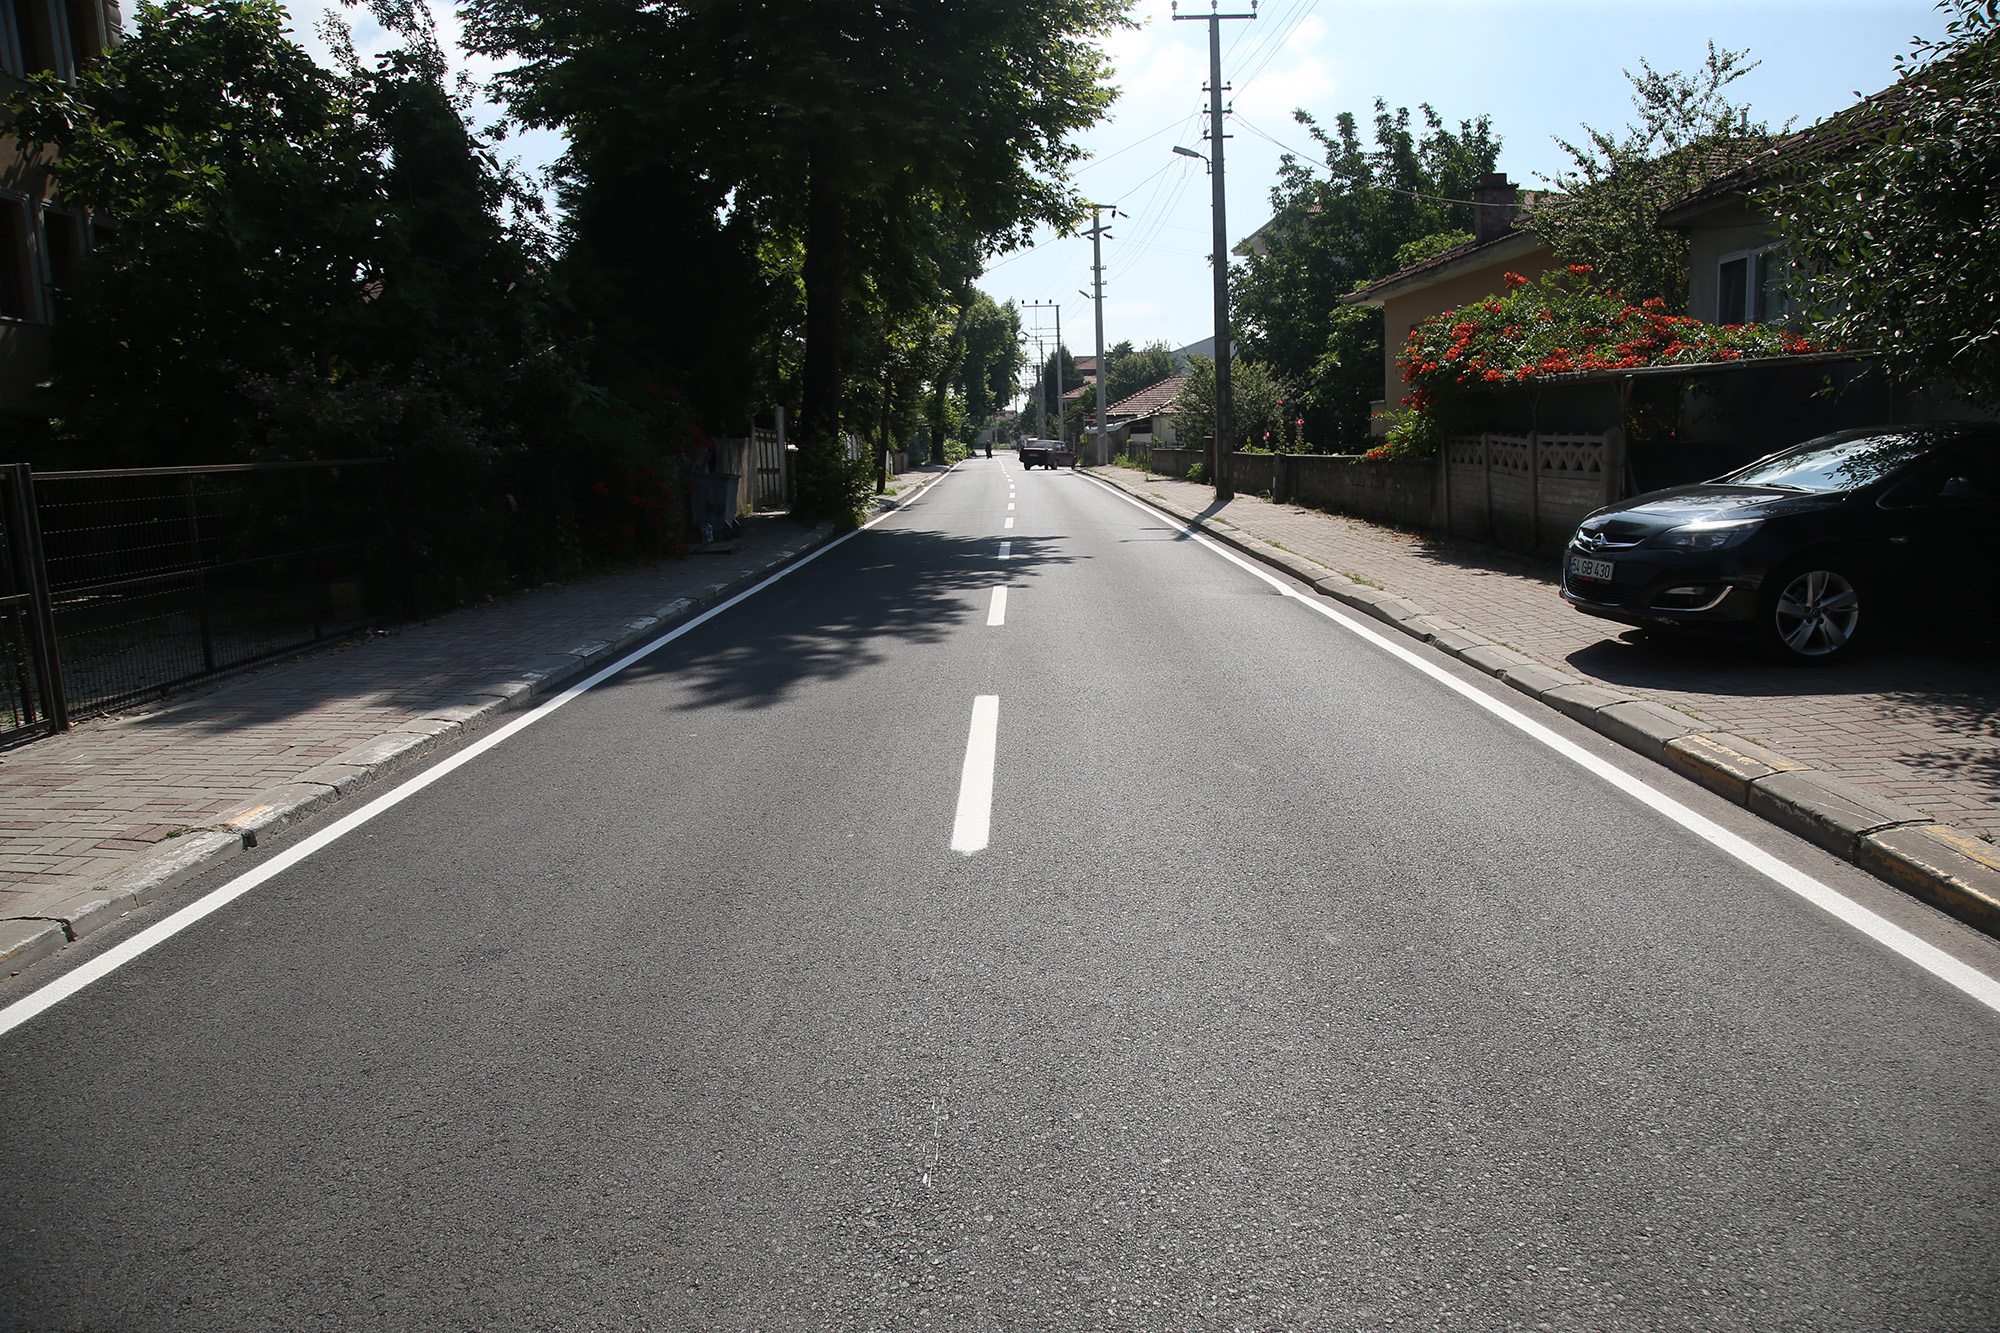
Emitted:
<point x="1541" y="69"/>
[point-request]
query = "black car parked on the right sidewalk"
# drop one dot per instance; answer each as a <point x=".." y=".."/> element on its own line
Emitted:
<point x="1807" y="549"/>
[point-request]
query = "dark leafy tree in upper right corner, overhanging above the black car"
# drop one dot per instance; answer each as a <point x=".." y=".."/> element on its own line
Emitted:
<point x="1899" y="245"/>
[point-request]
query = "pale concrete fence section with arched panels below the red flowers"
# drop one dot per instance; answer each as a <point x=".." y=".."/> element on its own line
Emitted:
<point x="1527" y="491"/>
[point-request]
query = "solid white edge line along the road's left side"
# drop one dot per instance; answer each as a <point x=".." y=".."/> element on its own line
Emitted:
<point x="159" y="934"/>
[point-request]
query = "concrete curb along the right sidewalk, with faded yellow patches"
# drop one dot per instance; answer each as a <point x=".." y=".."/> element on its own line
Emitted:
<point x="1945" y="868"/>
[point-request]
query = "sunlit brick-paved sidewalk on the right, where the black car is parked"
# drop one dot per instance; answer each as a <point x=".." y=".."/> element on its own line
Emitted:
<point x="1915" y="728"/>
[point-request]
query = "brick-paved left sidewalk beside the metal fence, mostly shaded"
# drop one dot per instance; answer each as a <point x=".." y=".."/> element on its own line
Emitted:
<point x="83" y="804"/>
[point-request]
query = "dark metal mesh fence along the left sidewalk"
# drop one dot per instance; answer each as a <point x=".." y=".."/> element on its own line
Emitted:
<point x="157" y="577"/>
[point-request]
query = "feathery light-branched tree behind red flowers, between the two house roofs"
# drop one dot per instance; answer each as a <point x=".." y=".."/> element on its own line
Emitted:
<point x="1687" y="135"/>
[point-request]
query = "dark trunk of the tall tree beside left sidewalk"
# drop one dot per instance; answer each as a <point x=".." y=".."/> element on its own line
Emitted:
<point x="825" y="271"/>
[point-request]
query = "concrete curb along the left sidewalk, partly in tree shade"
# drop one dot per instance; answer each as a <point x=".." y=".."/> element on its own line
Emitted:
<point x="85" y="908"/>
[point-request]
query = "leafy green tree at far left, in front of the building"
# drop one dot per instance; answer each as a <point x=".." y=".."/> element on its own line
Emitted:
<point x="247" y="193"/>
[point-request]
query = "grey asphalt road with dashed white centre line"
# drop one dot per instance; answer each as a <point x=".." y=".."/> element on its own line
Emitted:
<point x="1291" y="990"/>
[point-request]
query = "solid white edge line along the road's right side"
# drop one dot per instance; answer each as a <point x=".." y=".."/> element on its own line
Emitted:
<point x="1829" y="900"/>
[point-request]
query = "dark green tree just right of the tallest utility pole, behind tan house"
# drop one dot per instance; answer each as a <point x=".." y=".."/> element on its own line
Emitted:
<point x="1329" y="237"/>
